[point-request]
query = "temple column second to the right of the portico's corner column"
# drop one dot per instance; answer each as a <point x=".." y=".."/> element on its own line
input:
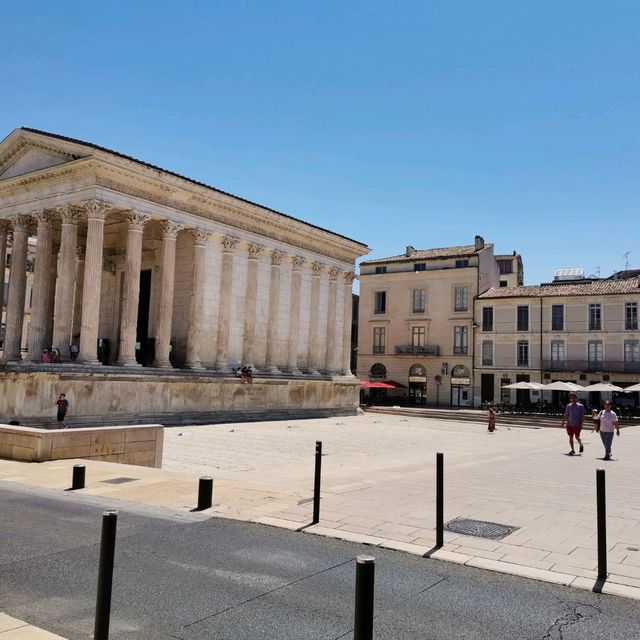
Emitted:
<point x="169" y="233"/>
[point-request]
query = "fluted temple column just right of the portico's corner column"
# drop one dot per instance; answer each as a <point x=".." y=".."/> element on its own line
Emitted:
<point x="131" y="289"/>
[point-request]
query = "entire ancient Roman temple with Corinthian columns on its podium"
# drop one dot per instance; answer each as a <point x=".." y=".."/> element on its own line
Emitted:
<point x="166" y="282"/>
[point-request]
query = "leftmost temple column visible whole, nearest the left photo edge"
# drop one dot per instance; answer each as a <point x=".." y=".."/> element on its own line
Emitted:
<point x="17" y="289"/>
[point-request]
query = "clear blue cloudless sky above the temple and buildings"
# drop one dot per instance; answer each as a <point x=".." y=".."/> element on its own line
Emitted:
<point x="392" y="123"/>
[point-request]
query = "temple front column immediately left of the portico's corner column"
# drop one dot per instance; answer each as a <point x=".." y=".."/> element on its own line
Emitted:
<point x="63" y="307"/>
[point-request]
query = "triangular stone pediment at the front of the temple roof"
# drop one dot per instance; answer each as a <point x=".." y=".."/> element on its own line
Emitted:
<point x="21" y="154"/>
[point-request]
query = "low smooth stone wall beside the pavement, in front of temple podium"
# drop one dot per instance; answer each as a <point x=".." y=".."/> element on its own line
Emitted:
<point x="134" y="444"/>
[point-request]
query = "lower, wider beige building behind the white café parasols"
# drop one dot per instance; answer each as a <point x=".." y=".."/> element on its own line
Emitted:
<point x="578" y="331"/>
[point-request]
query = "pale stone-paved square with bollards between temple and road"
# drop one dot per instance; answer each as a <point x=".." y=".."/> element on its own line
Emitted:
<point x="378" y="487"/>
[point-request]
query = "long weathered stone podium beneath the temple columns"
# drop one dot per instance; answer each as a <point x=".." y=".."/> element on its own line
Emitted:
<point x="119" y="397"/>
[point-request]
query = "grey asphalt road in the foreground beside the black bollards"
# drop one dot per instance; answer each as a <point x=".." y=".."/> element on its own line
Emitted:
<point x="180" y="576"/>
